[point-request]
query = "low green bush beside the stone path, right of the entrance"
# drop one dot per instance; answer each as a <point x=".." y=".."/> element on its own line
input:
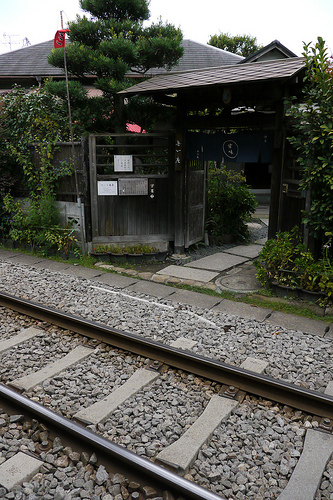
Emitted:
<point x="285" y="261"/>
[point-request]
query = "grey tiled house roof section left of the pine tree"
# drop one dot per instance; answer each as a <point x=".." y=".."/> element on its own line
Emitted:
<point x="29" y="61"/>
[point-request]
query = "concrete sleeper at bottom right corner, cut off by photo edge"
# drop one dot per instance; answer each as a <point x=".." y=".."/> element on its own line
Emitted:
<point x="306" y="478"/>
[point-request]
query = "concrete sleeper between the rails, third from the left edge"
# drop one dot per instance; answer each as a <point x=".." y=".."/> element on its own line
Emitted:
<point x="100" y="411"/>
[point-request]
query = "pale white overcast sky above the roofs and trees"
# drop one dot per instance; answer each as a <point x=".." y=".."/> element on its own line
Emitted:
<point x="292" y="22"/>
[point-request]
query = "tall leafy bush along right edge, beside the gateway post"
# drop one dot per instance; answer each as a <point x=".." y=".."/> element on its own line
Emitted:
<point x="312" y="138"/>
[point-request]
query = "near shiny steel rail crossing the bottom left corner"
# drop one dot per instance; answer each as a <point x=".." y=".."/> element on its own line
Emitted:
<point x="129" y="462"/>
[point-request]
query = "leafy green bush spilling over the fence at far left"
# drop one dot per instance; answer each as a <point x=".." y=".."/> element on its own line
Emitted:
<point x="36" y="120"/>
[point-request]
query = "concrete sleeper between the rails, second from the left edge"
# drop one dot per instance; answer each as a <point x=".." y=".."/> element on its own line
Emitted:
<point x="29" y="381"/>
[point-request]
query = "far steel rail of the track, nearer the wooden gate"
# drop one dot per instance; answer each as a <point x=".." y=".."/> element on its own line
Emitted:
<point x="297" y="397"/>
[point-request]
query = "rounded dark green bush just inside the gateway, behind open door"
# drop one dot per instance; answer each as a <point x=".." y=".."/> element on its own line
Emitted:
<point x="230" y="204"/>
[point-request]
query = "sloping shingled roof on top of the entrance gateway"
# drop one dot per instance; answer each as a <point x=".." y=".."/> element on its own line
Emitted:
<point x="280" y="69"/>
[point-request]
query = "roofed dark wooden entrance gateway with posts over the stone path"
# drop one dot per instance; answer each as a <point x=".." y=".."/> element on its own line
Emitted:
<point x="248" y="97"/>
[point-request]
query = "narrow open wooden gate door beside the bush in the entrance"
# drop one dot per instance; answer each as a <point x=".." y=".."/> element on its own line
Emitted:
<point x="195" y="197"/>
